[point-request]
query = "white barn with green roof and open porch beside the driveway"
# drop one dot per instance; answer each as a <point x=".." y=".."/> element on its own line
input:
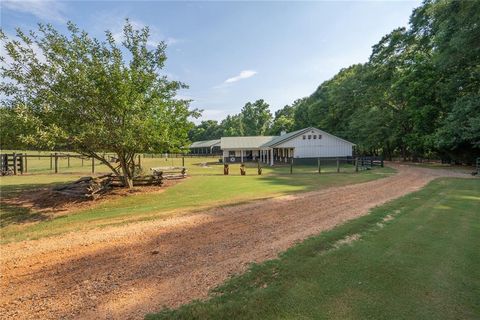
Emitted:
<point x="305" y="143"/>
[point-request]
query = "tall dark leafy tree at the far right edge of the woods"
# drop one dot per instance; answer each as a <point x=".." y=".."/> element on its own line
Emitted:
<point x="453" y="30"/>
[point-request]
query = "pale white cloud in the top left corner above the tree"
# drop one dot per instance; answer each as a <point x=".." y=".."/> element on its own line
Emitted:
<point x="45" y="10"/>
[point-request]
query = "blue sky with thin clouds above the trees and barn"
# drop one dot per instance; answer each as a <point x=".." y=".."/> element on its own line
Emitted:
<point x="230" y="53"/>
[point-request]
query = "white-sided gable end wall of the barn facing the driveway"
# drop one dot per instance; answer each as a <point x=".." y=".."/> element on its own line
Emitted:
<point x="327" y="146"/>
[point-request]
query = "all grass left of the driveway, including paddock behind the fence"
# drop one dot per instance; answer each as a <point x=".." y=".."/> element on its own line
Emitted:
<point x="207" y="187"/>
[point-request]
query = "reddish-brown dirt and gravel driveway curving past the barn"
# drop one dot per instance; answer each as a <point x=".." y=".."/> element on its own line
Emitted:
<point x="124" y="272"/>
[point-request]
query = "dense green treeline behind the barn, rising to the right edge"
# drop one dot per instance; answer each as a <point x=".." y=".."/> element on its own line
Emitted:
<point x="417" y="96"/>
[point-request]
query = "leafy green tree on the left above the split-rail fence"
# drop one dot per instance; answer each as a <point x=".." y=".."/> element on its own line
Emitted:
<point x="92" y="96"/>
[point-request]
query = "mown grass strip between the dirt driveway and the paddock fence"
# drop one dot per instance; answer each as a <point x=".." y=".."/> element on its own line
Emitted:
<point x="200" y="192"/>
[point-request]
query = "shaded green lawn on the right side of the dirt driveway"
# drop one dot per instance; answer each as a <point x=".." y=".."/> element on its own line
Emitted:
<point x="422" y="264"/>
